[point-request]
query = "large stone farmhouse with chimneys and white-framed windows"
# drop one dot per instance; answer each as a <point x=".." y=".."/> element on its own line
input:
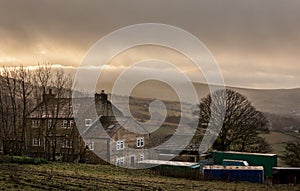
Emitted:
<point x="54" y="135"/>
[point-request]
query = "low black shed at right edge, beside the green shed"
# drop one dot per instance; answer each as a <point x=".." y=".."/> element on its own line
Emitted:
<point x="286" y="175"/>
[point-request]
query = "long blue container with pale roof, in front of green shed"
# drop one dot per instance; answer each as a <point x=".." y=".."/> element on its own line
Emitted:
<point x="253" y="174"/>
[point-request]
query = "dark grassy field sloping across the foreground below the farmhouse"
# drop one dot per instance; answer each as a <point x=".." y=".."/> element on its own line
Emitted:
<point x="61" y="176"/>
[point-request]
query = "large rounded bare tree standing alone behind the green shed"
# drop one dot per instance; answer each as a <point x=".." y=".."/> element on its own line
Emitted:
<point x="242" y="122"/>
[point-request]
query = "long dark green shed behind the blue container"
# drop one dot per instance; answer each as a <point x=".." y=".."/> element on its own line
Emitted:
<point x="268" y="161"/>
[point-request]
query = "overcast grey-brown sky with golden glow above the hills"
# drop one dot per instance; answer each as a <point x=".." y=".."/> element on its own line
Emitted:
<point x="255" y="42"/>
